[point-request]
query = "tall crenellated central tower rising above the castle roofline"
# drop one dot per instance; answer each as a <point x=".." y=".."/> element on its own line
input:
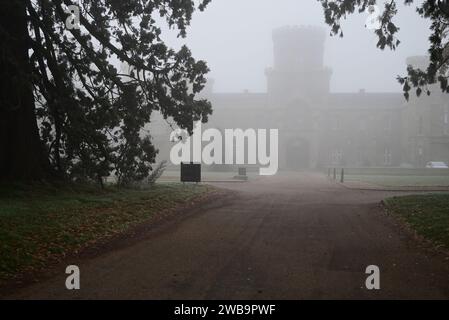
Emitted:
<point x="298" y="70"/>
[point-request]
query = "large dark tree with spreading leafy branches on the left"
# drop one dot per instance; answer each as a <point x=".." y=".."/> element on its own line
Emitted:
<point x="66" y="111"/>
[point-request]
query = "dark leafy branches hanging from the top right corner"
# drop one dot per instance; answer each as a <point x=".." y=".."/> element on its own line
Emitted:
<point x="437" y="11"/>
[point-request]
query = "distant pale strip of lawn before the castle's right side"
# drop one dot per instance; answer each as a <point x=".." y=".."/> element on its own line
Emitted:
<point x="400" y="181"/>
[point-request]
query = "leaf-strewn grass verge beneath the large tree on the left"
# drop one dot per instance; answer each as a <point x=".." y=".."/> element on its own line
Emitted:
<point x="42" y="224"/>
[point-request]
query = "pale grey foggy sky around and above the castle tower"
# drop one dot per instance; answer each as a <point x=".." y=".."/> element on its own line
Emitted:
<point x="235" y="38"/>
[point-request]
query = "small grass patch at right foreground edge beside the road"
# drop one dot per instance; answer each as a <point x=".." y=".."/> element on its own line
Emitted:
<point x="428" y="215"/>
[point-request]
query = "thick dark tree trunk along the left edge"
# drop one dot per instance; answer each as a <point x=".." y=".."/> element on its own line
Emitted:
<point x="22" y="155"/>
